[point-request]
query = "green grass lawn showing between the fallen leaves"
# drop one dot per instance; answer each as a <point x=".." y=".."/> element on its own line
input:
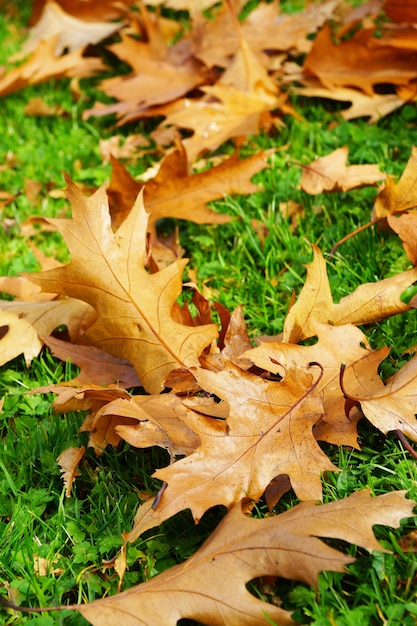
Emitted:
<point x="75" y="536"/>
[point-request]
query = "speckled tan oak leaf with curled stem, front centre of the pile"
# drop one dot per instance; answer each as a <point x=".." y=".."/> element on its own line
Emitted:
<point x="268" y="432"/>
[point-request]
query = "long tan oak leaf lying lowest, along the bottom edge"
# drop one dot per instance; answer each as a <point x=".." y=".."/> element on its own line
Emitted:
<point x="210" y="586"/>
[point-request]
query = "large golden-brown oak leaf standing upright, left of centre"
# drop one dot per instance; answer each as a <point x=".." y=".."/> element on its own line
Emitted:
<point x="134" y="308"/>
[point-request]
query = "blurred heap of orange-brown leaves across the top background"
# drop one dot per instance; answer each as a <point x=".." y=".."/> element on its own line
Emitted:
<point x="222" y="78"/>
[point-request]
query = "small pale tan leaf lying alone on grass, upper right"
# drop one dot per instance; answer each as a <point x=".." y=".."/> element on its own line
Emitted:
<point x="330" y="173"/>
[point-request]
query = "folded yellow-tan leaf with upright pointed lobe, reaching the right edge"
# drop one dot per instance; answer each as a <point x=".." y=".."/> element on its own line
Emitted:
<point x="370" y="302"/>
